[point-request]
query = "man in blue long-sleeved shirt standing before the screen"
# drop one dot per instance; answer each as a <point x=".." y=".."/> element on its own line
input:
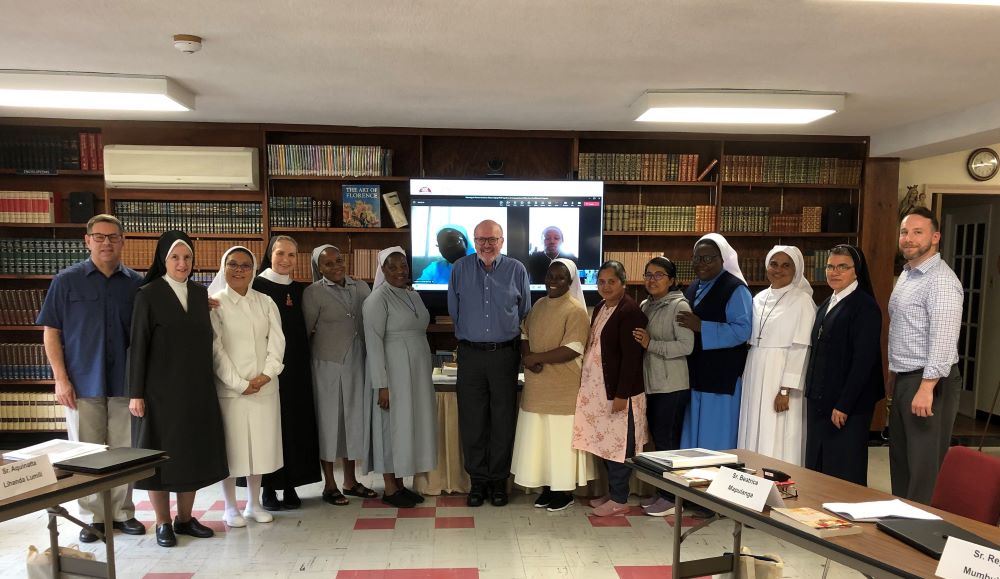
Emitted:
<point x="488" y="296"/>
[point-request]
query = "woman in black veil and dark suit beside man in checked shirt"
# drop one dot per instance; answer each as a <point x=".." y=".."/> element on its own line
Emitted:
<point x="844" y="377"/>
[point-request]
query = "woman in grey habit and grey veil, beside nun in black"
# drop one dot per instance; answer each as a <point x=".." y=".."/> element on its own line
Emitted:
<point x="332" y="310"/>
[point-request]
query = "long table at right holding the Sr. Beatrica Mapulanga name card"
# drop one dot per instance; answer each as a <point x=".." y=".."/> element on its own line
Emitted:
<point x="872" y="552"/>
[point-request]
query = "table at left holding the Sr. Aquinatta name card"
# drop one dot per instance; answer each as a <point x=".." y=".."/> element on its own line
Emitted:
<point x="73" y="487"/>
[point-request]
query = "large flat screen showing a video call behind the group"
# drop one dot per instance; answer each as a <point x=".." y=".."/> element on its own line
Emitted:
<point x="539" y="219"/>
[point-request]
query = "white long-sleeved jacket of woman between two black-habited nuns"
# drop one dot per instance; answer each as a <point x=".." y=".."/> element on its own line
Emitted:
<point x="248" y="342"/>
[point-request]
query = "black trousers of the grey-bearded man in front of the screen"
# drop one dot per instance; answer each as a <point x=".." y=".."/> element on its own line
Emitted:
<point x="487" y="410"/>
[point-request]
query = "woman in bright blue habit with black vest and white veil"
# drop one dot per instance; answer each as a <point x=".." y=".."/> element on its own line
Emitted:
<point x="720" y="320"/>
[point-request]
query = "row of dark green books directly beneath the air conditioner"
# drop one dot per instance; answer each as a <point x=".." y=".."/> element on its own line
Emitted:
<point x="240" y="217"/>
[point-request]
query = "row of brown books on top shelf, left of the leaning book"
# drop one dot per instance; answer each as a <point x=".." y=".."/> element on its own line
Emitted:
<point x="638" y="167"/>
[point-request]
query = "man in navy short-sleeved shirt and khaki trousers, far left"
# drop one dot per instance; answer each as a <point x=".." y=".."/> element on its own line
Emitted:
<point x="87" y="317"/>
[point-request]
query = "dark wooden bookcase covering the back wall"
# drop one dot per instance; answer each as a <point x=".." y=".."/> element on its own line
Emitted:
<point x="448" y="153"/>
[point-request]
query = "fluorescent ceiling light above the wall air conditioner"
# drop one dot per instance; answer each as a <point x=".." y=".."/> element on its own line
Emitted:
<point x="92" y="91"/>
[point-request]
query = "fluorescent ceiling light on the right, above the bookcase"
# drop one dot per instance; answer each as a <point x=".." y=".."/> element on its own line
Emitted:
<point x="735" y="107"/>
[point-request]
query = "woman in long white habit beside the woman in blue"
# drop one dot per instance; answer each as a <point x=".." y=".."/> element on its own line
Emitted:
<point x="771" y="409"/>
